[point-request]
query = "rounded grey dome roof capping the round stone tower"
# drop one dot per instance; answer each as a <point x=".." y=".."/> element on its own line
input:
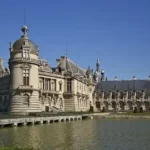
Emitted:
<point x="18" y="44"/>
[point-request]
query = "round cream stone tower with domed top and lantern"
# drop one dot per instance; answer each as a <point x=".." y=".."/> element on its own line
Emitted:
<point x="23" y="65"/>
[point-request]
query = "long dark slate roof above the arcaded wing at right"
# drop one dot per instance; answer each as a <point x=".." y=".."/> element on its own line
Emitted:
<point x="123" y="85"/>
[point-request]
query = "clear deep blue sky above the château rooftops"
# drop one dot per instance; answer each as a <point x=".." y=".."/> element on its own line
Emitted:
<point x="118" y="31"/>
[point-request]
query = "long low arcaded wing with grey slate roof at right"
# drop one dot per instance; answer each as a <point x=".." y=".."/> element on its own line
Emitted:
<point x="129" y="95"/>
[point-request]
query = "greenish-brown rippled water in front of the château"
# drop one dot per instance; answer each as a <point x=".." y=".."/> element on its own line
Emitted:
<point x="93" y="134"/>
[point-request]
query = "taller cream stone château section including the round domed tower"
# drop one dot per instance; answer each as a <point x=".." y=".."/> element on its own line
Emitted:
<point x="32" y="85"/>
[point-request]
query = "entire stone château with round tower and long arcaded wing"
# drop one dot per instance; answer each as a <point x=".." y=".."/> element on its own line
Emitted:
<point x="32" y="85"/>
